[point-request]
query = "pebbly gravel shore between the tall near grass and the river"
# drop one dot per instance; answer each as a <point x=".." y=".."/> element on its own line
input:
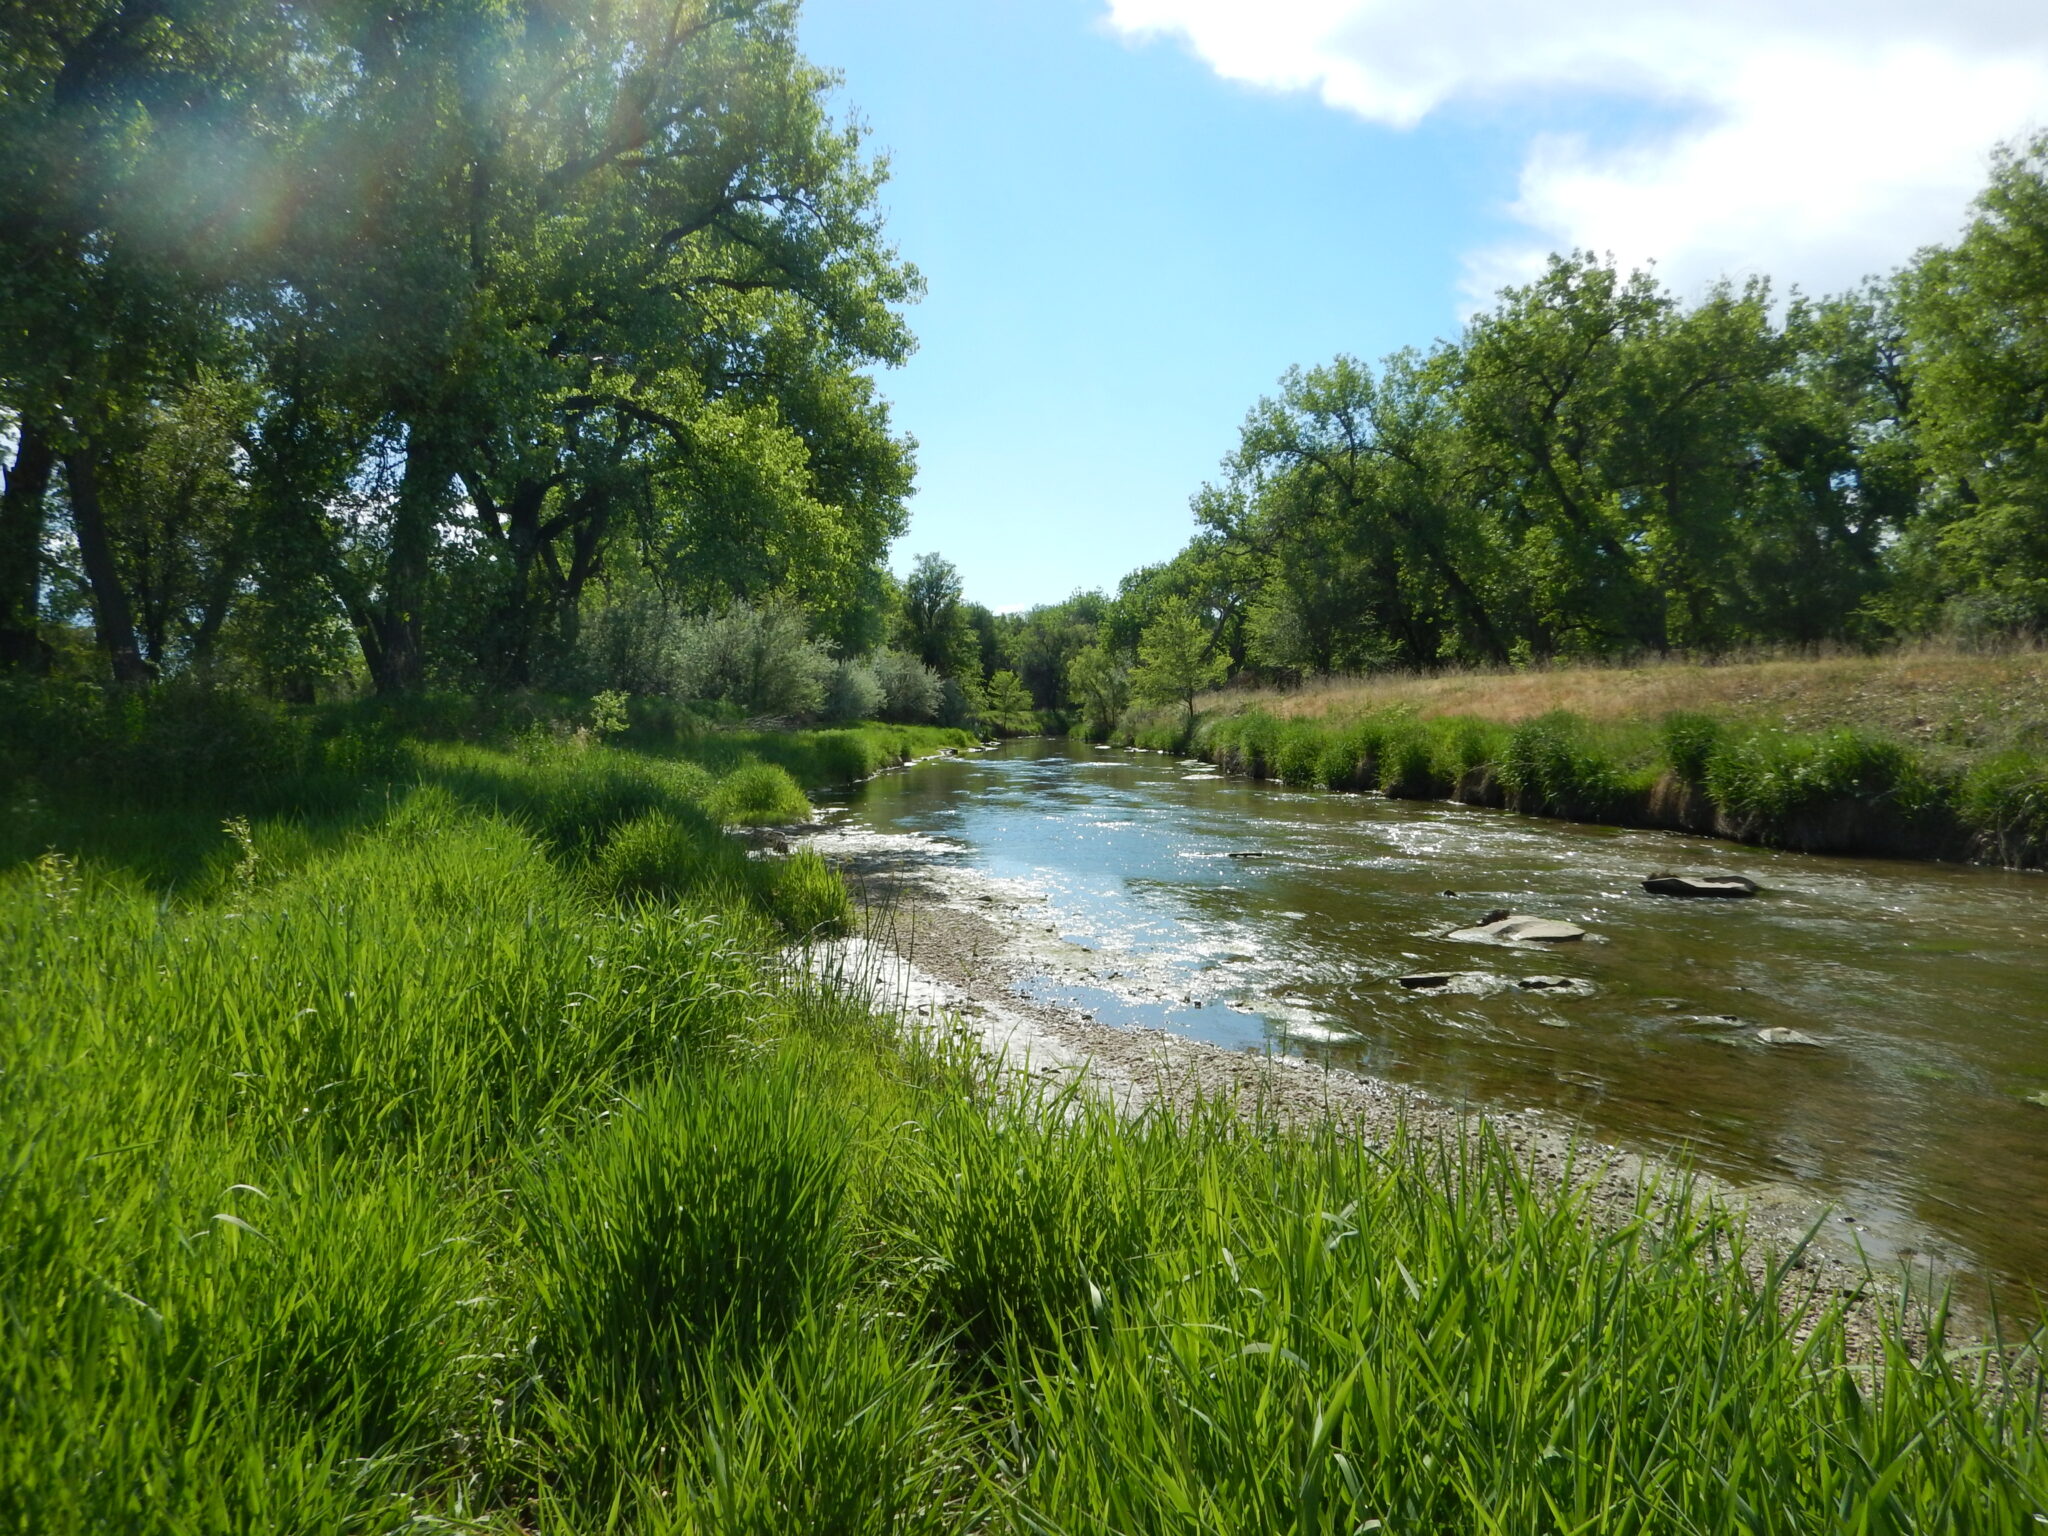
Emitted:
<point x="959" y="951"/>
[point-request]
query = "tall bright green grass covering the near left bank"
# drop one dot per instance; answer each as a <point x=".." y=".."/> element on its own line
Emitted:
<point x="454" y="1150"/>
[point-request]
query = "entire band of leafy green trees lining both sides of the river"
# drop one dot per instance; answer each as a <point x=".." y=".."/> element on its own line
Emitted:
<point x="480" y="345"/>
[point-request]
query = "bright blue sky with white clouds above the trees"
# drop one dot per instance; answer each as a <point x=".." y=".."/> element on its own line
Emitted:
<point x="1134" y="216"/>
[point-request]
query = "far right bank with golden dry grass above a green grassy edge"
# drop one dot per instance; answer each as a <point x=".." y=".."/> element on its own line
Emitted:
<point x="1920" y="755"/>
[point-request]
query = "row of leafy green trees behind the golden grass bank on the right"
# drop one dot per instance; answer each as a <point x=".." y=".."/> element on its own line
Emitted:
<point x="1598" y="470"/>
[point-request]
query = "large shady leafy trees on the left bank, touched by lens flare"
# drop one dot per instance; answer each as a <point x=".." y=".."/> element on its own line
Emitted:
<point x="374" y="339"/>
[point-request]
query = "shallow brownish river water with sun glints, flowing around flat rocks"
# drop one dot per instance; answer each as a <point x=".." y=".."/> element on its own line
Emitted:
<point x="1254" y="914"/>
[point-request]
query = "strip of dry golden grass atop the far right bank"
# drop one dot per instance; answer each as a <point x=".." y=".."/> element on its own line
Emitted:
<point x="1969" y="701"/>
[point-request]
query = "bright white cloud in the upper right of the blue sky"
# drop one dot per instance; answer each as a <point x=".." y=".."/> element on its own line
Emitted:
<point x="1820" y="140"/>
